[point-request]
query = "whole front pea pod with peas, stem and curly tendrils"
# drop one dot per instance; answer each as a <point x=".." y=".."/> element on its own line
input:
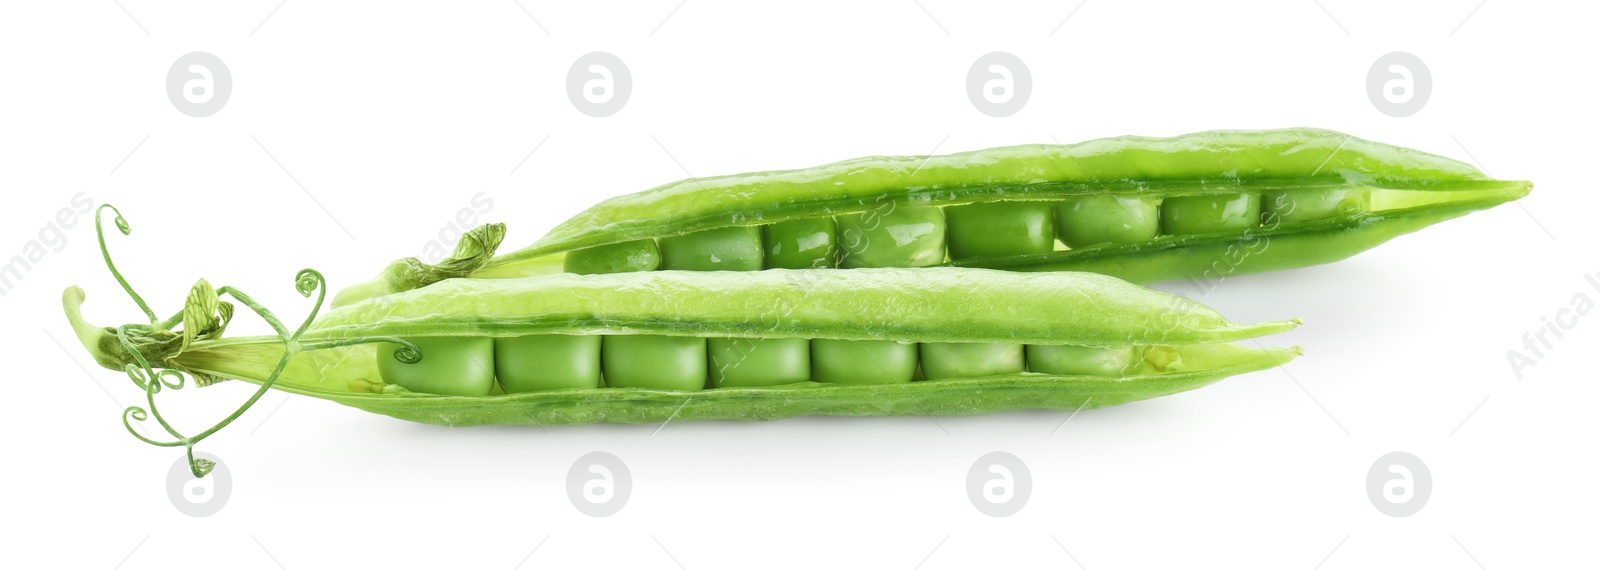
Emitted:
<point x="678" y="345"/>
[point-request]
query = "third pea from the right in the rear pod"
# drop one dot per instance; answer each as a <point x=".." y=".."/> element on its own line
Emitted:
<point x="1094" y="220"/>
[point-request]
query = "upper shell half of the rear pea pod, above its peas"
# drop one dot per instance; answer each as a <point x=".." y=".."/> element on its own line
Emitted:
<point x="1127" y="166"/>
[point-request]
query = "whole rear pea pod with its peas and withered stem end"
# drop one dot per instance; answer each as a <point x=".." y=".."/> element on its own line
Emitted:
<point x="1206" y="207"/>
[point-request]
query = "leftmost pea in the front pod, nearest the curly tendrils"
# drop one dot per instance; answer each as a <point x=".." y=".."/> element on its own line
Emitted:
<point x="452" y="366"/>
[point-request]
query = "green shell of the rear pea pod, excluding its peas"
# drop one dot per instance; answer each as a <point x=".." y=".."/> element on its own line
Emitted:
<point x="1222" y="163"/>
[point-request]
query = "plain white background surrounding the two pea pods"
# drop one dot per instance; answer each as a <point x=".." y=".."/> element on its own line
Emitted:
<point x="358" y="130"/>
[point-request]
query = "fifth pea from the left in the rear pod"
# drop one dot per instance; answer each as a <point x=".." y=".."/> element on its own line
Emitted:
<point x="999" y="230"/>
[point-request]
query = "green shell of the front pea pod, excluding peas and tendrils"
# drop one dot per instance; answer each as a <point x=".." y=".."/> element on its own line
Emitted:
<point x="935" y="305"/>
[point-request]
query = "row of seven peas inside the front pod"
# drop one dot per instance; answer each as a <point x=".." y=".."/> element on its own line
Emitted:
<point x="542" y="363"/>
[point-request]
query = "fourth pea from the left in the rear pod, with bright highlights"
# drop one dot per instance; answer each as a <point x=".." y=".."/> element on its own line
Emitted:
<point x="895" y="236"/>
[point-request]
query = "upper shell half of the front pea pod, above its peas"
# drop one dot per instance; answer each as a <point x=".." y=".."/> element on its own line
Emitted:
<point x="930" y="305"/>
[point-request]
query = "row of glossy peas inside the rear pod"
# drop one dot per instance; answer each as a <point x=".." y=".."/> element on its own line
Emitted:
<point x="905" y="236"/>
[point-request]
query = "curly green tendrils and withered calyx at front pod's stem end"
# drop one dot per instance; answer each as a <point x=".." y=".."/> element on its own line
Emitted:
<point x="151" y="351"/>
